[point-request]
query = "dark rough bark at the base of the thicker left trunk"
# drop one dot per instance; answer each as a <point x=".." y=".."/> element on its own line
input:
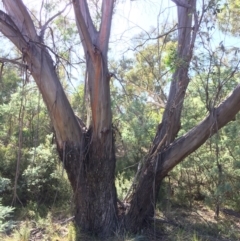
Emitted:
<point x="93" y="182"/>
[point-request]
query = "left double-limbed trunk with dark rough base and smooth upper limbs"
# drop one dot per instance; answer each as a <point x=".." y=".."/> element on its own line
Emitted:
<point x="88" y="155"/>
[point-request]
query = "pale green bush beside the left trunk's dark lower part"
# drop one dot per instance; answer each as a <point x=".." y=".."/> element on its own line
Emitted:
<point x="41" y="178"/>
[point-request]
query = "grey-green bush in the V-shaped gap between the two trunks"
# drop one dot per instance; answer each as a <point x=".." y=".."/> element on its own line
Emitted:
<point x="137" y="125"/>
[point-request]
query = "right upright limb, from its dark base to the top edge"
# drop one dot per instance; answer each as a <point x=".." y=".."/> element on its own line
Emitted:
<point x="142" y="203"/>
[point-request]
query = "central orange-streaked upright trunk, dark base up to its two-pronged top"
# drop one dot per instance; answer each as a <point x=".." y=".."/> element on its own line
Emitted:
<point x="94" y="183"/>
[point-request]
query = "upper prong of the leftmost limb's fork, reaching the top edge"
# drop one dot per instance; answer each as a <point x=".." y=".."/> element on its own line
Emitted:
<point x="19" y="14"/>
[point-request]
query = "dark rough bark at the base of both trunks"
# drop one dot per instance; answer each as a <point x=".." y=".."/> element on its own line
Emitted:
<point x="95" y="197"/>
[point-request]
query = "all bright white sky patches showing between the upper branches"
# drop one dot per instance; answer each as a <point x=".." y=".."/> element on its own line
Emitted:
<point x="132" y="17"/>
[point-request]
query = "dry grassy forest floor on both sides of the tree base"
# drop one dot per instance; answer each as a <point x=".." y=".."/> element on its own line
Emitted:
<point x="178" y="224"/>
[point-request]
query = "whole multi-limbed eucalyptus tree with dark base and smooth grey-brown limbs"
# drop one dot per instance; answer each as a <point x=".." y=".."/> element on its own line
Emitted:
<point x="87" y="150"/>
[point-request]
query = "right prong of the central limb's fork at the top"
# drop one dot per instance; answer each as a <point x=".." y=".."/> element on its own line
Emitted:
<point x="105" y="28"/>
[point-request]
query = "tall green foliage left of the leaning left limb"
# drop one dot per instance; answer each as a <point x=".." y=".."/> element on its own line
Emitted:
<point x="40" y="177"/>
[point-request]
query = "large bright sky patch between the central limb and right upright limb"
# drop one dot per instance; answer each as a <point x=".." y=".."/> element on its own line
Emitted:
<point x="134" y="17"/>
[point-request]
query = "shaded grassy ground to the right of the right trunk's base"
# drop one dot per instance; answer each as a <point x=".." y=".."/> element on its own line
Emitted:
<point x="198" y="223"/>
